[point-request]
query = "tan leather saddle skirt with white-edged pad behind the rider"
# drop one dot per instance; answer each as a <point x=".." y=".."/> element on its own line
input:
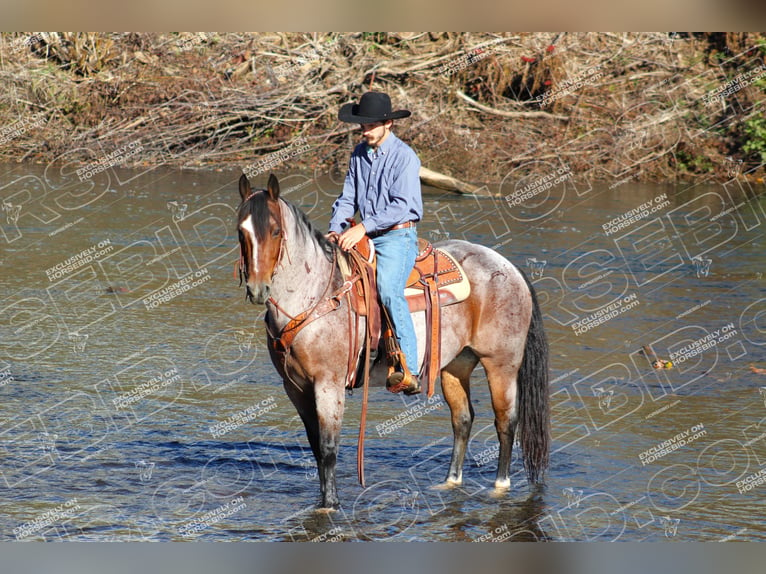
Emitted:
<point x="452" y="281"/>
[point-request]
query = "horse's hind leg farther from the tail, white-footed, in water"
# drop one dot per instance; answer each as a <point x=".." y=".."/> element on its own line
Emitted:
<point x="455" y="379"/>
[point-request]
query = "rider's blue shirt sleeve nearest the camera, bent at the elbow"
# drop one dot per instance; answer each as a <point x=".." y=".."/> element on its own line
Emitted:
<point x="403" y="194"/>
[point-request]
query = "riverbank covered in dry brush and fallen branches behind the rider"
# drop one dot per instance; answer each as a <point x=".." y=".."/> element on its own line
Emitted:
<point x="486" y="107"/>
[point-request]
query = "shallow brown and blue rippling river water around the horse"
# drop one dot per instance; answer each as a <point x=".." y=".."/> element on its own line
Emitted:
<point x="139" y="403"/>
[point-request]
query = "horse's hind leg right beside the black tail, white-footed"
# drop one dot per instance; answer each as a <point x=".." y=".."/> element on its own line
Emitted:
<point x="503" y="389"/>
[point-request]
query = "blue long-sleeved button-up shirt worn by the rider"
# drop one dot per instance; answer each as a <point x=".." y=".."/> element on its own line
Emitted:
<point x="383" y="185"/>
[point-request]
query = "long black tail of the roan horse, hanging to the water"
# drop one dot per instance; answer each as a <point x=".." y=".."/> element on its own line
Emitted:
<point x="533" y="400"/>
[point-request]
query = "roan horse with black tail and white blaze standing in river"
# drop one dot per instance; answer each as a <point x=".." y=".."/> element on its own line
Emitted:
<point x="288" y="265"/>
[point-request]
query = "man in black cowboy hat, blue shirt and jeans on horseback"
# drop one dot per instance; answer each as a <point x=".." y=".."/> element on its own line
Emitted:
<point x="383" y="185"/>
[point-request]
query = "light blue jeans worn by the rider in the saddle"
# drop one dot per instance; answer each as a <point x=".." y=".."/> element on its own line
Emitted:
<point x="396" y="251"/>
